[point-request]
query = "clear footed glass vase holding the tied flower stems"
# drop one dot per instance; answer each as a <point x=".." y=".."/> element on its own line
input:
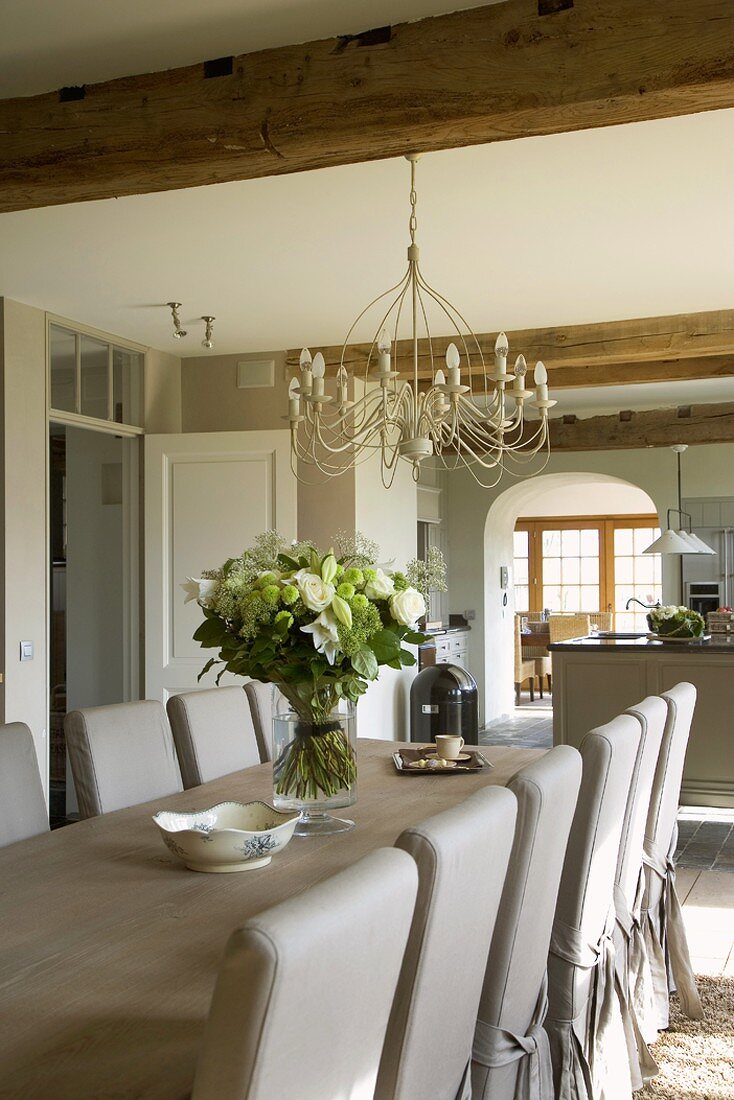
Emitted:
<point x="315" y="766"/>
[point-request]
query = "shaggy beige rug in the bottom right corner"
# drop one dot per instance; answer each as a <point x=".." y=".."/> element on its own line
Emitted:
<point x="697" y="1057"/>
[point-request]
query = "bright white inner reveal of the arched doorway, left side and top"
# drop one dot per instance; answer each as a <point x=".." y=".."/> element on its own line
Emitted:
<point x="587" y="493"/>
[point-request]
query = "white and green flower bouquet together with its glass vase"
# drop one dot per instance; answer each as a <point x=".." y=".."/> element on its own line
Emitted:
<point x="319" y="625"/>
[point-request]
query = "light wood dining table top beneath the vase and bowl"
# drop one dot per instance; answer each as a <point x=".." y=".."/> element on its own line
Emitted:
<point x="111" y="947"/>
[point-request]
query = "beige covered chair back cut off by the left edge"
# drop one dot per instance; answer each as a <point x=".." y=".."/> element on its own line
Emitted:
<point x="23" y="805"/>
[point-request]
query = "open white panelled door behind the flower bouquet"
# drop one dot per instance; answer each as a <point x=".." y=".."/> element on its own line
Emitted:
<point x="207" y="497"/>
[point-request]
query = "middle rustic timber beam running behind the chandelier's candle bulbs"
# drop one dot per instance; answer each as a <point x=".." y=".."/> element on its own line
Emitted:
<point x="611" y="354"/>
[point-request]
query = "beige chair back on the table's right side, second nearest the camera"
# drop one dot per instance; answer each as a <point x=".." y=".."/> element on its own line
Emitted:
<point x="463" y="857"/>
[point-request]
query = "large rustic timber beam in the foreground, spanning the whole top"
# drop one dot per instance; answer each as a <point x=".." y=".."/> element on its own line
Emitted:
<point x="506" y="71"/>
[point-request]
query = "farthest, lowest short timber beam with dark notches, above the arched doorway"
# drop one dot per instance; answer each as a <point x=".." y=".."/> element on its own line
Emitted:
<point x="693" y="424"/>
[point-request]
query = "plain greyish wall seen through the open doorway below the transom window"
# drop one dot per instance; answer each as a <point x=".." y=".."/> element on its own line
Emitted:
<point x="95" y="659"/>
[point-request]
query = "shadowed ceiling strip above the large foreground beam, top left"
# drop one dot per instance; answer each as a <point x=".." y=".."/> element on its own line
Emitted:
<point x="48" y="45"/>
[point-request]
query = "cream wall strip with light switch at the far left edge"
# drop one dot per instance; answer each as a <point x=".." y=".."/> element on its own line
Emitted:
<point x="24" y="547"/>
